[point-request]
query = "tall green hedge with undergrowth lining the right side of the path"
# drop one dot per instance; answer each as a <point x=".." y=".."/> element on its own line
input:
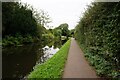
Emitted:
<point x="98" y="32"/>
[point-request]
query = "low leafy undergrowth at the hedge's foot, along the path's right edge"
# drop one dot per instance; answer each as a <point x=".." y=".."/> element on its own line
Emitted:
<point x="102" y="66"/>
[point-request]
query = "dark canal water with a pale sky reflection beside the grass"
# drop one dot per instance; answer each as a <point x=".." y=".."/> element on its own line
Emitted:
<point x="17" y="62"/>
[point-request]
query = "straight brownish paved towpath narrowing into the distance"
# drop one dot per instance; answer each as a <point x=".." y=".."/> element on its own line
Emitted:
<point x="76" y="65"/>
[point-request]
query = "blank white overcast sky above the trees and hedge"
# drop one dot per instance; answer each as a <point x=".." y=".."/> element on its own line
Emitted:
<point x="61" y="11"/>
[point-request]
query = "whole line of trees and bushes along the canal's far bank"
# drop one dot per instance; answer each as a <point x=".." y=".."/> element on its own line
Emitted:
<point x="21" y="24"/>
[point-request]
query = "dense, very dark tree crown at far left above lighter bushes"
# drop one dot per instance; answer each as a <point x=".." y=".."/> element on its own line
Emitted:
<point x="18" y="19"/>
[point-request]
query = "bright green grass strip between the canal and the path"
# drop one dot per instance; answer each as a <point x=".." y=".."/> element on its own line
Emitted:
<point x="53" y="68"/>
